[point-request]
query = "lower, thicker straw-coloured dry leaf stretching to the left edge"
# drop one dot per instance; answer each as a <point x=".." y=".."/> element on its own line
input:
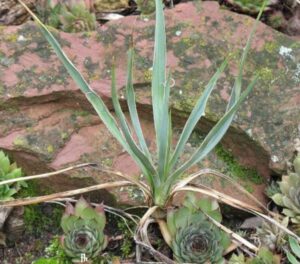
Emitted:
<point x="45" y="198"/>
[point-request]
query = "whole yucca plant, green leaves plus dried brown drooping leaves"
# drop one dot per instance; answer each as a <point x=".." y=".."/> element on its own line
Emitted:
<point x="163" y="179"/>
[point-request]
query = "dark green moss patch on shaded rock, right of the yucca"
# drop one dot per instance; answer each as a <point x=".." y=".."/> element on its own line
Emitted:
<point x="236" y="170"/>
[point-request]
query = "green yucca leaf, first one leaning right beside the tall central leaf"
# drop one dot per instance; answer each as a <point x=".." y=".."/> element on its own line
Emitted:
<point x="196" y="114"/>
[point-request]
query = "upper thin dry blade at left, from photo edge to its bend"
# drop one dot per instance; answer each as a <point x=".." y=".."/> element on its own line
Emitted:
<point x="48" y="174"/>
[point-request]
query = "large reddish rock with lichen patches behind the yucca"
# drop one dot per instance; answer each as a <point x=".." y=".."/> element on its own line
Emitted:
<point x="46" y="122"/>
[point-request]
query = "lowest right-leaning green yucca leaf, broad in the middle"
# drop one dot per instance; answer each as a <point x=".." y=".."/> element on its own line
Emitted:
<point x="213" y="137"/>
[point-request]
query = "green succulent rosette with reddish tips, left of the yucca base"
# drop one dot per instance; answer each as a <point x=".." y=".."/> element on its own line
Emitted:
<point x="83" y="230"/>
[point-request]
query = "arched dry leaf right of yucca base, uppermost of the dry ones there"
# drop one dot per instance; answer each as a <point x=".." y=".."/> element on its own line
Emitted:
<point x="240" y="188"/>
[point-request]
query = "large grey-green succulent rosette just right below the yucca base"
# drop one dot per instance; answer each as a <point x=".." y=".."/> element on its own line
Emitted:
<point x="195" y="238"/>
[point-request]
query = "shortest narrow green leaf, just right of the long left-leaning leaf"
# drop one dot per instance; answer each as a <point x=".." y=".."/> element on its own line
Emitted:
<point x="127" y="134"/>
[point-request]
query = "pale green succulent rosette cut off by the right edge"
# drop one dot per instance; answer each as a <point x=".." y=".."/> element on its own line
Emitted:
<point x="289" y="196"/>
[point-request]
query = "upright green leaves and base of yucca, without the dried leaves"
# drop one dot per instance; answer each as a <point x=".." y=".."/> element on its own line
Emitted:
<point x="161" y="178"/>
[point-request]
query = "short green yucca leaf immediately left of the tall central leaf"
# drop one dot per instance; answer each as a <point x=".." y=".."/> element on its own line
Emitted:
<point x="130" y="96"/>
